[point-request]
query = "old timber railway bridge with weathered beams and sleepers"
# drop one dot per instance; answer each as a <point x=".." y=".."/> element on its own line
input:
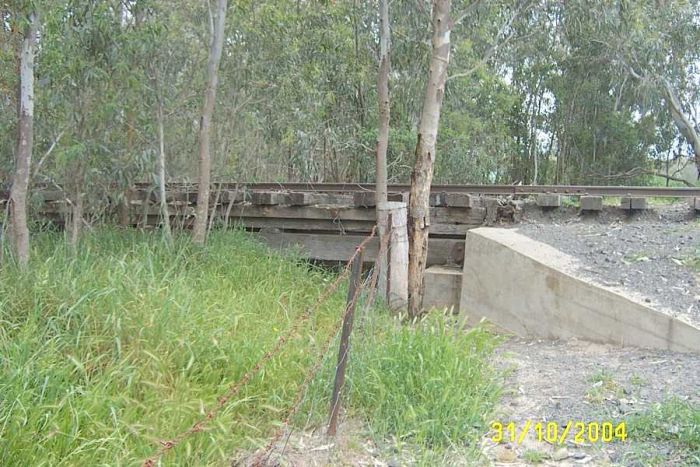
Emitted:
<point x="327" y="221"/>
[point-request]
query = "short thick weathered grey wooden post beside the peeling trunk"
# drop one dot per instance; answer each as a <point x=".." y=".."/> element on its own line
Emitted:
<point x="393" y="264"/>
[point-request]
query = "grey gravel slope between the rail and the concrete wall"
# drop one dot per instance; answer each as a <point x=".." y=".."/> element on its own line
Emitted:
<point x="646" y="255"/>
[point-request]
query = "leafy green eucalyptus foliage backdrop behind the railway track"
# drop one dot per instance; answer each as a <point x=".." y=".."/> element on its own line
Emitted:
<point x="550" y="87"/>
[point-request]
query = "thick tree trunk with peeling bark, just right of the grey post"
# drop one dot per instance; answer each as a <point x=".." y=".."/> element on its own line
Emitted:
<point x="422" y="176"/>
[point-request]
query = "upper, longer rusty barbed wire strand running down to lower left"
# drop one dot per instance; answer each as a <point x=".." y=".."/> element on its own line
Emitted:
<point x="281" y="340"/>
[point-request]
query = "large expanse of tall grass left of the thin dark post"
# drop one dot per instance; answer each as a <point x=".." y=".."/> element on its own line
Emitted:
<point x="105" y="354"/>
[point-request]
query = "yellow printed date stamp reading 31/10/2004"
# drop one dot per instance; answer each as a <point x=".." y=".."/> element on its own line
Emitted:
<point x="552" y="432"/>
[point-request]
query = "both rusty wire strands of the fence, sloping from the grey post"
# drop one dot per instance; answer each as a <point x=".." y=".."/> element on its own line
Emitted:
<point x="263" y="455"/>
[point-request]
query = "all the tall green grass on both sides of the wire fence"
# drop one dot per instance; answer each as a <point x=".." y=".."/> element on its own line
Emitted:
<point x="108" y="353"/>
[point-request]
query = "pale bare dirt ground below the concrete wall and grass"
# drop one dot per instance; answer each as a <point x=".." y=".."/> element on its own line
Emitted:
<point x="545" y="381"/>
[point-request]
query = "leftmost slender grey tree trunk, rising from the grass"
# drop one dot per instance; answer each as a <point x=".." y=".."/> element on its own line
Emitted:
<point x="20" y="183"/>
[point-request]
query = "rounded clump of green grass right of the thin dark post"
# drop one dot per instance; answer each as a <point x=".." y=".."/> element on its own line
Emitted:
<point x="428" y="385"/>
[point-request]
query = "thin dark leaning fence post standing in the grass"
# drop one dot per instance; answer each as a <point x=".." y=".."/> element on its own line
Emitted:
<point x="344" y="349"/>
